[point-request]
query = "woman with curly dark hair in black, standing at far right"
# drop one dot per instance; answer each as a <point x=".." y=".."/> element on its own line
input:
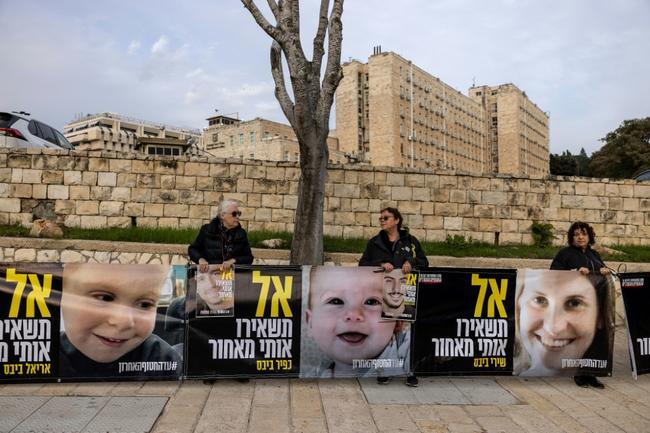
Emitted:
<point x="580" y="256"/>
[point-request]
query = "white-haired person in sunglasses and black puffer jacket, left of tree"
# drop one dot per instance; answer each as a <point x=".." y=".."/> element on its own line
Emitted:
<point x="222" y="241"/>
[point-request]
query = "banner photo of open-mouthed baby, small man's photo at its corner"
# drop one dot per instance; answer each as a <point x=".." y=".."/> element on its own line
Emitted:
<point x="349" y="326"/>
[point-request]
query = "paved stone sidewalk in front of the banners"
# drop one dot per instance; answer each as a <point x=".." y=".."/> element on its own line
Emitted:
<point x="439" y="405"/>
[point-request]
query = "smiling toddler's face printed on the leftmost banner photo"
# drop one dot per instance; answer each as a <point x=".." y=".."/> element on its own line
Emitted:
<point x="110" y="310"/>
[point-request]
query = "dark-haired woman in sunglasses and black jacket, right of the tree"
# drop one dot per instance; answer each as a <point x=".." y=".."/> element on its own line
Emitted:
<point x="394" y="248"/>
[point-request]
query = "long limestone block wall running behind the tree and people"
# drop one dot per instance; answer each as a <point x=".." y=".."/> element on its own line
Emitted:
<point x="106" y="189"/>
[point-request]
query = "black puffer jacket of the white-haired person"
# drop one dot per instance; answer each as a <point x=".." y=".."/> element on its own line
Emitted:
<point x="216" y="244"/>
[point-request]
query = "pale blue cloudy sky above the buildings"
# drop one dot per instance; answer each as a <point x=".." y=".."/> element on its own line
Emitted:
<point x="585" y="62"/>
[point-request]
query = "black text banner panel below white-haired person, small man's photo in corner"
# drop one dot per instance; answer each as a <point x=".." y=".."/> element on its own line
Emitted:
<point x="244" y="323"/>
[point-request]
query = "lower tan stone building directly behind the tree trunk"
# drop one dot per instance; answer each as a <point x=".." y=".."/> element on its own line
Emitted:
<point x="259" y="139"/>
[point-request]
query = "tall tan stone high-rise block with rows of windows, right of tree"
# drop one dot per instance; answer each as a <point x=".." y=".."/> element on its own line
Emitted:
<point x="391" y="112"/>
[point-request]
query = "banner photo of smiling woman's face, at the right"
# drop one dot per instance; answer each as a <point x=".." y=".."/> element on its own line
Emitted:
<point x="565" y="323"/>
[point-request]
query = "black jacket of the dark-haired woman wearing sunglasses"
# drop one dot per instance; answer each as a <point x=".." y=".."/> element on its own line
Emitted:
<point x="406" y="248"/>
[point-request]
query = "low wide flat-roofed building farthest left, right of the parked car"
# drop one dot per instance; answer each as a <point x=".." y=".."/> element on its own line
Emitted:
<point x="112" y="131"/>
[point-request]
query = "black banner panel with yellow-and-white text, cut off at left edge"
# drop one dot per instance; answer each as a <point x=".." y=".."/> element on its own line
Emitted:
<point x="29" y="322"/>
